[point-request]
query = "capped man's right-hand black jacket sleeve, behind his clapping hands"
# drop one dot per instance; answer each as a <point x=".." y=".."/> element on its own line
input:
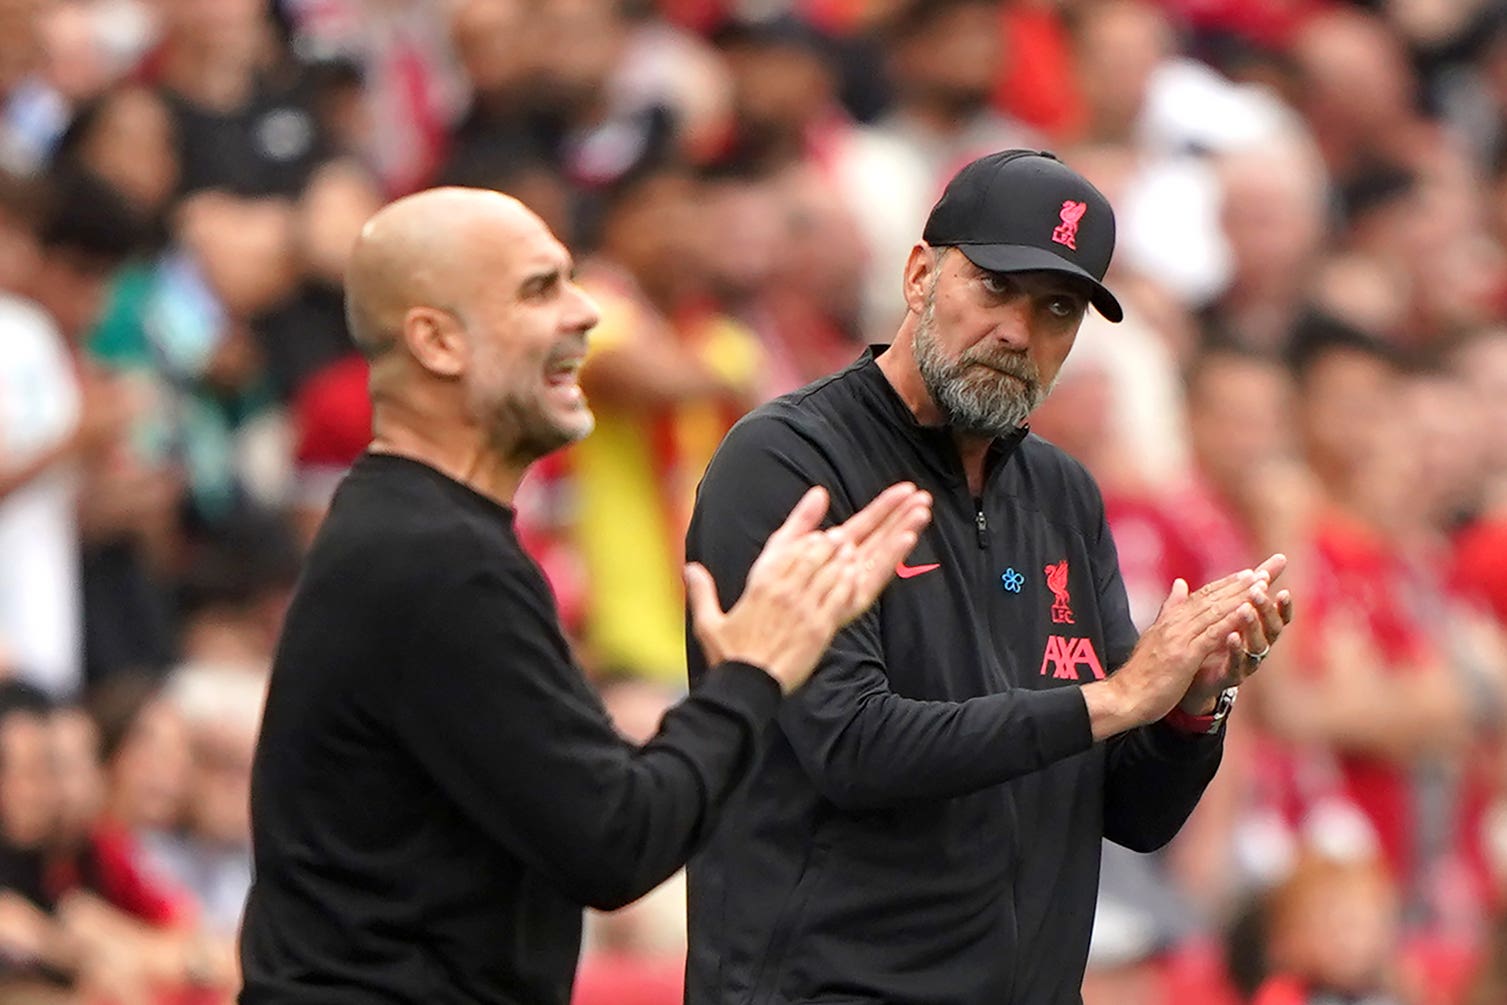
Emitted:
<point x="1154" y="775"/>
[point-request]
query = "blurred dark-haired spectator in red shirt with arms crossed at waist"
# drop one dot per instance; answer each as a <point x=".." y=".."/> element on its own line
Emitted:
<point x="1371" y="700"/>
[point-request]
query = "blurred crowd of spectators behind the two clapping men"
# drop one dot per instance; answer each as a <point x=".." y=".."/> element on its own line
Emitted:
<point x="1313" y="257"/>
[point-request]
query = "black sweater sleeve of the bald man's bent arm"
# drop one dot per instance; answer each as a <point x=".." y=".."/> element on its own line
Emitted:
<point x="504" y="722"/>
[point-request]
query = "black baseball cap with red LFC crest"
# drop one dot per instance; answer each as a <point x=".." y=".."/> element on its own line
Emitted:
<point x="1021" y="212"/>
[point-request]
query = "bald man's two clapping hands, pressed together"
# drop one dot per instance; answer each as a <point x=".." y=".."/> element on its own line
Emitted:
<point x="807" y="584"/>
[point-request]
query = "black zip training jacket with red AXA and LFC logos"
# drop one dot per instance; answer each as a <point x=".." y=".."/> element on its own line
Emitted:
<point x="926" y="820"/>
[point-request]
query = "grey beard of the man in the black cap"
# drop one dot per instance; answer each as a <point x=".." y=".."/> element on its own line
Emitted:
<point x="971" y="400"/>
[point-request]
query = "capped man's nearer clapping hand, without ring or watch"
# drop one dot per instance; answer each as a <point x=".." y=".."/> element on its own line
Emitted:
<point x="1188" y="631"/>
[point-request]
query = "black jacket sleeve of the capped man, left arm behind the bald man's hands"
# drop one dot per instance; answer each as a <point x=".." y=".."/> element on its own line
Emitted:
<point x="863" y="745"/>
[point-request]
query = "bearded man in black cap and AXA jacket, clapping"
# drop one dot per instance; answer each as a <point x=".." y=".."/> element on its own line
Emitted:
<point x="926" y="823"/>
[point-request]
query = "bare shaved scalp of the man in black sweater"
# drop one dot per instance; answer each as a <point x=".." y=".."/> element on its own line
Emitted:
<point x="430" y="249"/>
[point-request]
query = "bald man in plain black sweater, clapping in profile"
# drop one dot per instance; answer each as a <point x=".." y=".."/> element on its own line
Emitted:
<point x="438" y="790"/>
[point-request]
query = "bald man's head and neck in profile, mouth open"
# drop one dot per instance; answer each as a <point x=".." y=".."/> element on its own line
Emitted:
<point x="469" y="311"/>
